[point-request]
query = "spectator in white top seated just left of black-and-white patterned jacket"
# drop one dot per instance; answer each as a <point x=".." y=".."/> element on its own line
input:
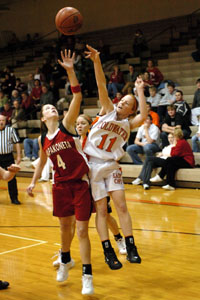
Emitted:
<point x="167" y="99"/>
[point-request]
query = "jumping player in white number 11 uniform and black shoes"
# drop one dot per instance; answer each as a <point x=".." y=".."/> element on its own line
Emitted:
<point x="105" y="147"/>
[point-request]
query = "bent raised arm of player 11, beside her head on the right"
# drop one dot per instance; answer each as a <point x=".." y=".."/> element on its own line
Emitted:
<point x="141" y="117"/>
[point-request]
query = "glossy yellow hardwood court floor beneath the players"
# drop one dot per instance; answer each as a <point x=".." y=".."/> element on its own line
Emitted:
<point x="166" y="226"/>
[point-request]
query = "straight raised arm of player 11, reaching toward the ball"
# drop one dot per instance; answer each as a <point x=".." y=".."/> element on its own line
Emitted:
<point x="106" y="103"/>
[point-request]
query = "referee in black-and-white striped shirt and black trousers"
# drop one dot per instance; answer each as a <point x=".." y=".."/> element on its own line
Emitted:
<point x="8" y="136"/>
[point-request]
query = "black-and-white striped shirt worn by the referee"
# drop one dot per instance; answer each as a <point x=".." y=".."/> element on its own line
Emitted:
<point x="8" y="136"/>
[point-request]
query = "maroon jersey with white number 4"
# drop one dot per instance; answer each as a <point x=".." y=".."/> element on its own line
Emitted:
<point x="64" y="150"/>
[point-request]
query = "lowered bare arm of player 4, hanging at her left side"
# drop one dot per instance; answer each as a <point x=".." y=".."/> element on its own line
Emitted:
<point x="38" y="169"/>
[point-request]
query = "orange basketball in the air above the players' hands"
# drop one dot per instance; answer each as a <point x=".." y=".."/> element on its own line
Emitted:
<point x="68" y="20"/>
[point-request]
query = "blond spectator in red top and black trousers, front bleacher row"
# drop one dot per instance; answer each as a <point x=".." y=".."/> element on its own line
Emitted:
<point x="181" y="157"/>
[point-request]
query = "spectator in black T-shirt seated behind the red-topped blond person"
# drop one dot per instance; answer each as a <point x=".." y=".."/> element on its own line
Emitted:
<point x="171" y="122"/>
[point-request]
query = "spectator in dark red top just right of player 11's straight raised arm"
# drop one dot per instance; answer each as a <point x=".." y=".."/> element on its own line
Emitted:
<point x="116" y="82"/>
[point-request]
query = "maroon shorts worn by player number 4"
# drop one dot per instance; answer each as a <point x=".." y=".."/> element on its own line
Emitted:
<point x="72" y="198"/>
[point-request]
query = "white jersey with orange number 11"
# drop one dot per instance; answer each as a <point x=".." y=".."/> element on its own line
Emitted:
<point x="107" y="137"/>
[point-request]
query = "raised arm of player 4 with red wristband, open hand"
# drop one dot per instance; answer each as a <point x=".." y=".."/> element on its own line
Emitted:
<point x="74" y="109"/>
